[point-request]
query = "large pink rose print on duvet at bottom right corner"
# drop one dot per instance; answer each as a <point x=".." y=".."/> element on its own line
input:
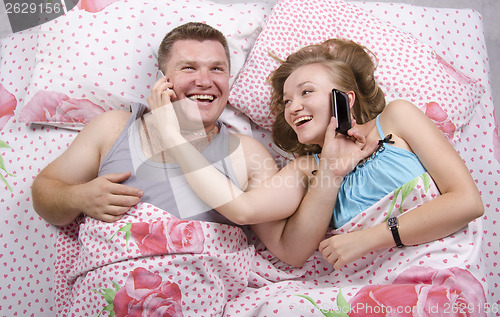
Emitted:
<point x="424" y="292"/>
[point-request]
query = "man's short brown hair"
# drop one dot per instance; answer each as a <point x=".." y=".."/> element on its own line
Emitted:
<point x="190" y="31"/>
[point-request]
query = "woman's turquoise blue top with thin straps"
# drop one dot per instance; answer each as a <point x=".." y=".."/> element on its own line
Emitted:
<point x="387" y="169"/>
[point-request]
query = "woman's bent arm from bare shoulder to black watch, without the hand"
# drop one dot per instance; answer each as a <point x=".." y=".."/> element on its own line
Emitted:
<point x="460" y="201"/>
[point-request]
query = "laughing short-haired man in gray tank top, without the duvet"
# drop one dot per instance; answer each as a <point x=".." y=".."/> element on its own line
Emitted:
<point x="119" y="158"/>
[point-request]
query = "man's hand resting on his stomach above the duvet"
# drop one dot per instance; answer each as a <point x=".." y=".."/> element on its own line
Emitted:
<point x="105" y="199"/>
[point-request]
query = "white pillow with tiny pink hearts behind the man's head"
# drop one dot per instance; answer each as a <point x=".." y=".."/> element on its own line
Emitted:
<point x="101" y="55"/>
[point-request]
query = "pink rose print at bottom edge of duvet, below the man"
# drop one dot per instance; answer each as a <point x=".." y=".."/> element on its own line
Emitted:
<point x="146" y="294"/>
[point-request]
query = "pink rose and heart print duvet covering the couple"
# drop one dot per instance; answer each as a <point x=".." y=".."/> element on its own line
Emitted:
<point x="152" y="264"/>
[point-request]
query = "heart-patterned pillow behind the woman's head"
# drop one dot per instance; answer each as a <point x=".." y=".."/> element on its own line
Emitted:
<point x="407" y="68"/>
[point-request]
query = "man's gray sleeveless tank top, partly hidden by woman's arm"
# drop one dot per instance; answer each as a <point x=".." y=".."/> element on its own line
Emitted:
<point x="164" y="185"/>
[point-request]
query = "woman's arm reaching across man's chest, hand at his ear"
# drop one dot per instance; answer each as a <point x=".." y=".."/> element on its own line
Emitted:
<point x="268" y="200"/>
